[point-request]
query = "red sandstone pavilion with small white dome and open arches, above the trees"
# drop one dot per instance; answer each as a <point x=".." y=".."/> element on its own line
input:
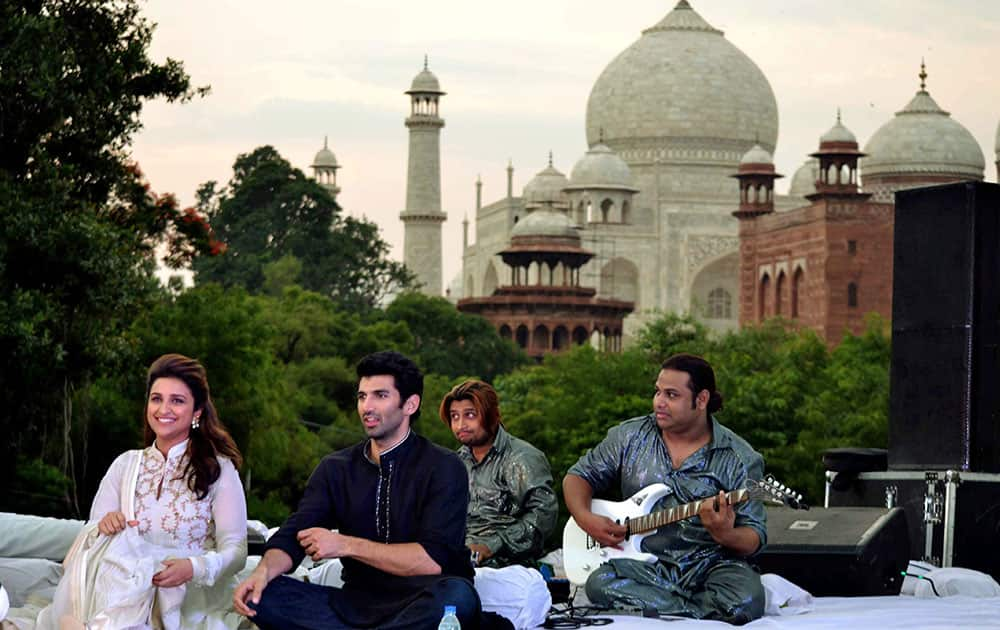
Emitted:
<point x="544" y="309"/>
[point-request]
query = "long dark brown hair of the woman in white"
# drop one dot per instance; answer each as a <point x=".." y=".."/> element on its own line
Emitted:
<point x="210" y="439"/>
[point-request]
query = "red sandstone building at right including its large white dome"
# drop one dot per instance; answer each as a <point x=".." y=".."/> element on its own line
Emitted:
<point x="828" y="264"/>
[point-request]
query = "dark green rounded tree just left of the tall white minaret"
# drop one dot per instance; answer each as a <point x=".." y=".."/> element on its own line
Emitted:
<point x="270" y="211"/>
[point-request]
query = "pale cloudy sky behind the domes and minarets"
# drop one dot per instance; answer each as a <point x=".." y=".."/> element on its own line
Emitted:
<point x="517" y="75"/>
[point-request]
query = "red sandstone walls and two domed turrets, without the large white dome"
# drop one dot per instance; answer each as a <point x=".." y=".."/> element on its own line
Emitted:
<point x="825" y="265"/>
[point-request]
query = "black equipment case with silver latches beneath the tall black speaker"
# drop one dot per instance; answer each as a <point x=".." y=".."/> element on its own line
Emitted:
<point x="953" y="516"/>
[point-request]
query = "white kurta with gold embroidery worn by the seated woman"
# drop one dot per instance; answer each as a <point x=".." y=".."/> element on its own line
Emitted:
<point x="212" y="532"/>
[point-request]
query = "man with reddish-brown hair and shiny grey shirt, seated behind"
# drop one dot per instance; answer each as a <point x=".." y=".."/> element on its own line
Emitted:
<point x="512" y="506"/>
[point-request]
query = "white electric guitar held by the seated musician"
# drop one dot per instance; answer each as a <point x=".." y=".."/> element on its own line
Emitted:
<point x="582" y="554"/>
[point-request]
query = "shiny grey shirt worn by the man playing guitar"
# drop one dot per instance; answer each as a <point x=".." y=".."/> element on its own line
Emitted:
<point x="633" y="456"/>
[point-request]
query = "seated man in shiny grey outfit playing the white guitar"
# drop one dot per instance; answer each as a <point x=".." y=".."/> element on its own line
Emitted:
<point x="701" y="571"/>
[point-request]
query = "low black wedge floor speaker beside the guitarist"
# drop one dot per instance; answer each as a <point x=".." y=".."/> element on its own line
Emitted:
<point x="837" y="551"/>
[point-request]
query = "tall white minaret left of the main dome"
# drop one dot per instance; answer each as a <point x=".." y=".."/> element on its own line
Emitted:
<point x="423" y="217"/>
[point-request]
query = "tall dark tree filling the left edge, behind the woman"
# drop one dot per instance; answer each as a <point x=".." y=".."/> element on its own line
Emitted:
<point x="77" y="223"/>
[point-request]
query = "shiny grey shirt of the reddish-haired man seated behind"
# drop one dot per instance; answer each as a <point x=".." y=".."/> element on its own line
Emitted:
<point x="512" y="507"/>
